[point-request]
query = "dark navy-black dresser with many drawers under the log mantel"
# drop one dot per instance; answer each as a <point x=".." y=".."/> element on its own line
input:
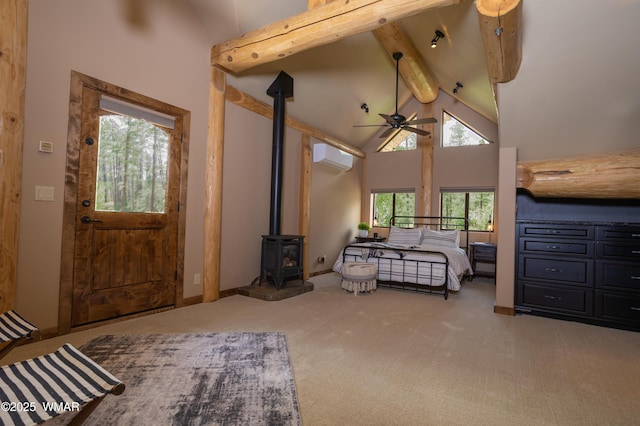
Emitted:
<point x="579" y="260"/>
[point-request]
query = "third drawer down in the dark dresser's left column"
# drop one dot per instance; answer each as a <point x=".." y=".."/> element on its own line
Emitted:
<point x="577" y="272"/>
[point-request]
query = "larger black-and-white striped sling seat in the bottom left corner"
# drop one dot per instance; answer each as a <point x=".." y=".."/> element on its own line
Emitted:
<point x="66" y="380"/>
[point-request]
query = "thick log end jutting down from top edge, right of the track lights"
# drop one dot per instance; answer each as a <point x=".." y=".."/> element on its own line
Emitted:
<point x="501" y="28"/>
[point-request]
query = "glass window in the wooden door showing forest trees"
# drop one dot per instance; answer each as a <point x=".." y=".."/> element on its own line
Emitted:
<point x="132" y="165"/>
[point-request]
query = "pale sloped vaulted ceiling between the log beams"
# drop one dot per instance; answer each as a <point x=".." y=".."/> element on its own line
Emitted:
<point x="332" y="81"/>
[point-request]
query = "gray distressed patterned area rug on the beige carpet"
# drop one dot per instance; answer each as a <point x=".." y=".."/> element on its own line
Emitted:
<point x="197" y="379"/>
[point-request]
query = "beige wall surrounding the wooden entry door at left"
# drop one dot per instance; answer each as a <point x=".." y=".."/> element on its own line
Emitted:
<point x="94" y="38"/>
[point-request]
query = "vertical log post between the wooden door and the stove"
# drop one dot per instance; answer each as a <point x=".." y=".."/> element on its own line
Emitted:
<point x="213" y="188"/>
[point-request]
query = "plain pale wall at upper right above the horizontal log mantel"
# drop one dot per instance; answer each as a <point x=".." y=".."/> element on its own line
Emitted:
<point x="577" y="89"/>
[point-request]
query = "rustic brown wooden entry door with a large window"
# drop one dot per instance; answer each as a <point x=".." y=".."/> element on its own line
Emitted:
<point x="126" y="237"/>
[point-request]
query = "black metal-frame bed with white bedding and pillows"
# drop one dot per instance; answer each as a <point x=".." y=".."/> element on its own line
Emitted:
<point x="423" y="253"/>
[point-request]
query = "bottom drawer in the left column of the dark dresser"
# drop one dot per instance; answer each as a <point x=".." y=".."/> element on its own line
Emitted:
<point x="566" y="299"/>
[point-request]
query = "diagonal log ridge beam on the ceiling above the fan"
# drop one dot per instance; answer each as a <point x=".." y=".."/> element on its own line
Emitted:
<point x="412" y="68"/>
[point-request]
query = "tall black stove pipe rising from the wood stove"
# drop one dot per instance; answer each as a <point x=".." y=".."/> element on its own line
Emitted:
<point x="280" y="89"/>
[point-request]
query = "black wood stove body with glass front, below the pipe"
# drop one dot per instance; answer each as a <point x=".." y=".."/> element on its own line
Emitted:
<point x="281" y="258"/>
